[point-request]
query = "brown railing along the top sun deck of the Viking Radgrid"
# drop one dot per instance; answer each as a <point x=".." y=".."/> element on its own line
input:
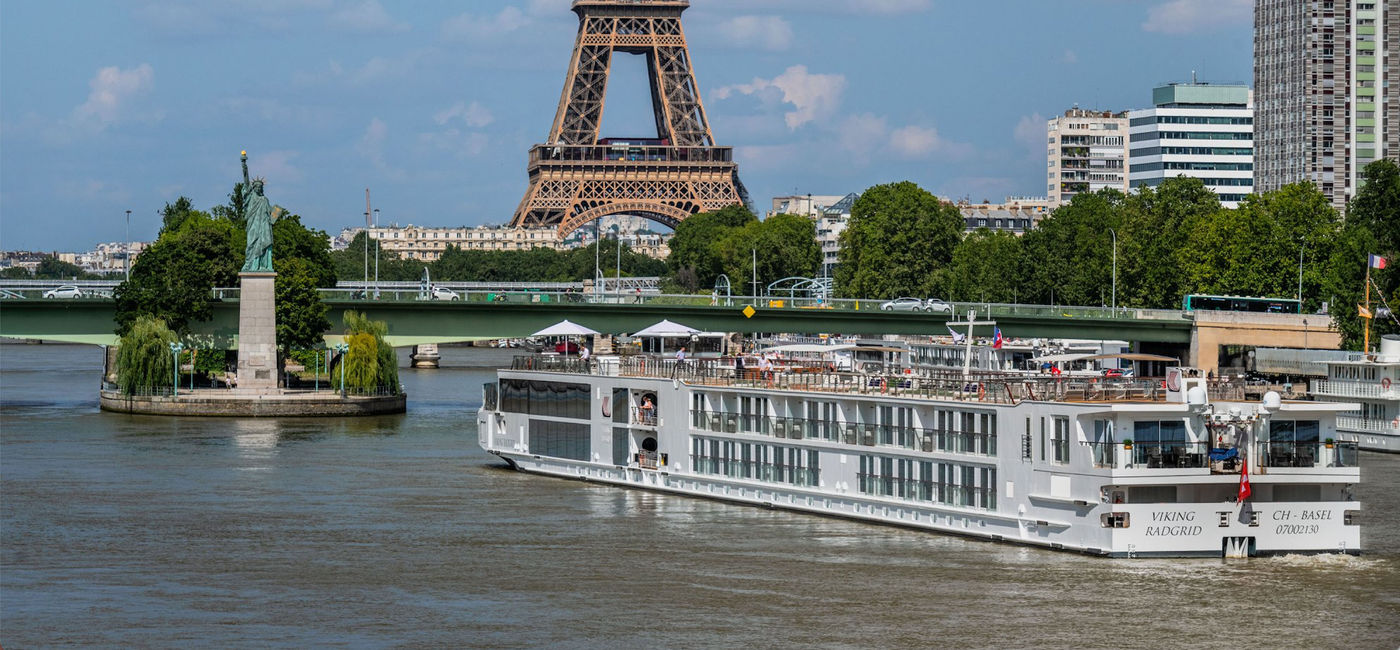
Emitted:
<point x="911" y="383"/>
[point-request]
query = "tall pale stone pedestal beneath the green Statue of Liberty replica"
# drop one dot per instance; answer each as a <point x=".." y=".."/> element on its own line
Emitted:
<point x="257" y="333"/>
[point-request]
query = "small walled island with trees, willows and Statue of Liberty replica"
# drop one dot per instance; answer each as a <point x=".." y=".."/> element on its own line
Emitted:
<point x="283" y="334"/>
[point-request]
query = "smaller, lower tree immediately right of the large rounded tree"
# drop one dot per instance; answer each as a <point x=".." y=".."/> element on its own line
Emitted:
<point x="986" y="267"/>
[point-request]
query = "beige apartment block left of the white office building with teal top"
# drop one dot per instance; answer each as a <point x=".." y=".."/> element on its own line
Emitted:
<point x="1087" y="152"/>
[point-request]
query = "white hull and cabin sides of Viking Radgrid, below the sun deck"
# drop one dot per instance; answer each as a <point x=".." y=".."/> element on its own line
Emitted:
<point x="1100" y="501"/>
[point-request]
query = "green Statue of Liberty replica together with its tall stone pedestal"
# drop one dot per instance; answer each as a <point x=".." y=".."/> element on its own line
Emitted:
<point x="257" y="300"/>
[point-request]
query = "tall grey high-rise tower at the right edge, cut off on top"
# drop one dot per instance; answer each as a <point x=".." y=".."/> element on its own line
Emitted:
<point x="1326" y="92"/>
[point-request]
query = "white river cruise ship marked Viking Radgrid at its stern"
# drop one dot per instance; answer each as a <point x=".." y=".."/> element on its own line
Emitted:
<point x="1123" y="469"/>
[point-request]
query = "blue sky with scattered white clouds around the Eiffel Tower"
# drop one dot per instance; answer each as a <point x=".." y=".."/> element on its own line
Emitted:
<point x="114" y="106"/>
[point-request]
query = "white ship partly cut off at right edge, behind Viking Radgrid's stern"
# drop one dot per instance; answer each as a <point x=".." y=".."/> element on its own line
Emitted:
<point x="1371" y="383"/>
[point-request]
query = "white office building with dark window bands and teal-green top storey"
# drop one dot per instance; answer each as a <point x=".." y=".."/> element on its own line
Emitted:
<point x="1199" y="131"/>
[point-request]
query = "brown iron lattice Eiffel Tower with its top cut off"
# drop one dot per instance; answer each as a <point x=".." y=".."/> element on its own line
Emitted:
<point x="577" y="176"/>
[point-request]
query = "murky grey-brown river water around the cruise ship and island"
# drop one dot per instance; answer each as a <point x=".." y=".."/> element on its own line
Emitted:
<point x="400" y="532"/>
